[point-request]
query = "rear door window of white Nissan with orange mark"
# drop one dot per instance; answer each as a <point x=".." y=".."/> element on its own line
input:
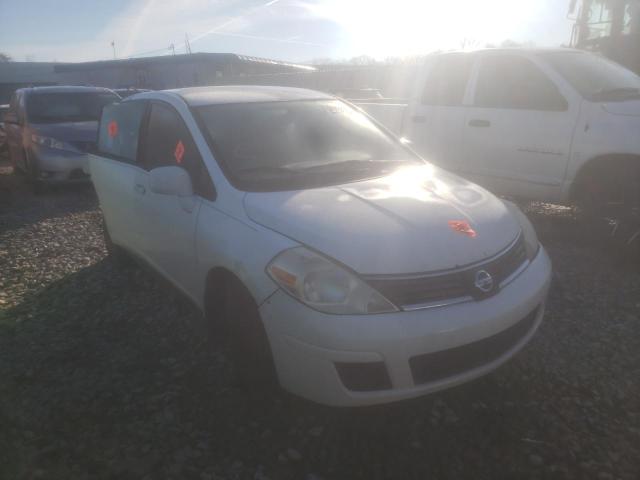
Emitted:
<point x="119" y="130"/>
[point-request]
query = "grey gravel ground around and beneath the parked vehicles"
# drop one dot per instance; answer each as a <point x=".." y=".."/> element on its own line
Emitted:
<point x="103" y="376"/>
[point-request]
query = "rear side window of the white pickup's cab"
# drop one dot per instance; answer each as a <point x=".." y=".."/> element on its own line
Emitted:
<point x="447" y="81"/>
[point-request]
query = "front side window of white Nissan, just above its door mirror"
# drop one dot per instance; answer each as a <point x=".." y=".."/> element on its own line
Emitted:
<point x="169" y="142"/>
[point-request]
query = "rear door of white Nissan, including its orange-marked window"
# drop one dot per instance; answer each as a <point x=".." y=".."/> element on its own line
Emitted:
<point x="114" y="168"/>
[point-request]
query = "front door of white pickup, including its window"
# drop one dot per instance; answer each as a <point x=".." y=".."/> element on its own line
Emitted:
<point x="518" y="129"/>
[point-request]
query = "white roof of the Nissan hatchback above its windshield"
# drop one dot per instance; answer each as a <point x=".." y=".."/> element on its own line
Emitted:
<point x="199" y="96"/>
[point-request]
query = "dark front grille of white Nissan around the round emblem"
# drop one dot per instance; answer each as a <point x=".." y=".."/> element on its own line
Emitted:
<point x="419" y="290"/>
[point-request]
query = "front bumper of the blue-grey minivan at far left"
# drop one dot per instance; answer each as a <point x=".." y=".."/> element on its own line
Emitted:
<point x="55" y="165"/>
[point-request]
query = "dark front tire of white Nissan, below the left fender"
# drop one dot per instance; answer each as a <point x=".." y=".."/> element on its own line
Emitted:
<point x="237" y="319"/>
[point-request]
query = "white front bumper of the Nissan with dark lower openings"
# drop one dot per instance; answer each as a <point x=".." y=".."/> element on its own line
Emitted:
<point x="405" y="354"/>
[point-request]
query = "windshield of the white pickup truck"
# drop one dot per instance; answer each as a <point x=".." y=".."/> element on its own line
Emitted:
<point x="595" y="77"/>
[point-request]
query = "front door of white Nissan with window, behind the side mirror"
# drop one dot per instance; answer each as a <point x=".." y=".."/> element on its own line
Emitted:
<point x="168" y="222"/>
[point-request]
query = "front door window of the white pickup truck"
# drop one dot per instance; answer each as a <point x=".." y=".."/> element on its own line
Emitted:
<point x="516" y="83"/>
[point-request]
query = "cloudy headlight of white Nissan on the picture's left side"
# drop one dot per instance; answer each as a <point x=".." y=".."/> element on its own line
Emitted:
<point x="322" y="285"/>
